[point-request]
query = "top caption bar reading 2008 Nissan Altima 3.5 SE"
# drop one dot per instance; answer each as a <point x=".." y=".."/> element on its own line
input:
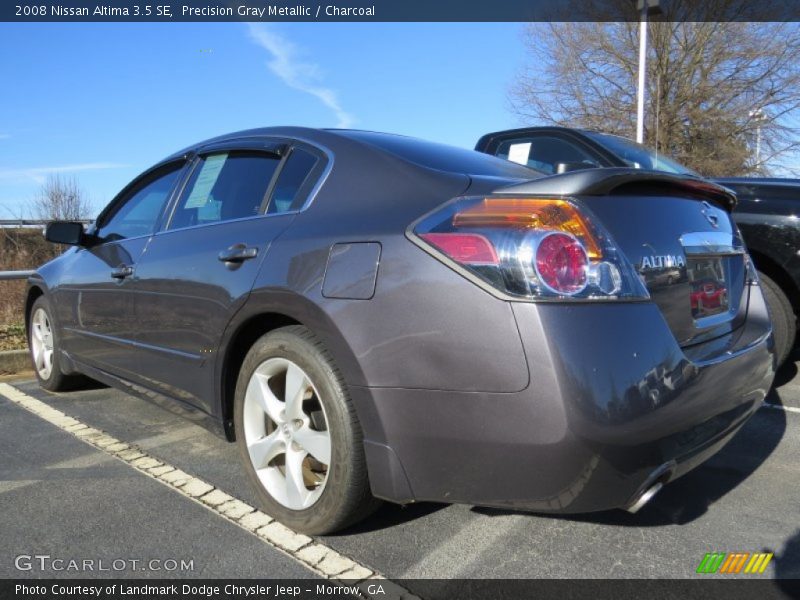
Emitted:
<point x="394" y="10"/>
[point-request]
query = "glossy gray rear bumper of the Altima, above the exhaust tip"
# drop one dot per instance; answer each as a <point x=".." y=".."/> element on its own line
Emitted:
<point x="614" y="405"/>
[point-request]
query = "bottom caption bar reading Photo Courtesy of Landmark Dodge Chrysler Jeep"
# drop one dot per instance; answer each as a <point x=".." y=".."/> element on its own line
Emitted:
<point x="730" y="588"/>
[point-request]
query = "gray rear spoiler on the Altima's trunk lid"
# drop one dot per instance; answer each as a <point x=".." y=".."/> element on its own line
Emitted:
<point x="604" y="182"/>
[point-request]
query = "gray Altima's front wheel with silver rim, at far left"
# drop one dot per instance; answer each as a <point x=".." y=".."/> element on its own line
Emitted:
<point x="45" y="352"/>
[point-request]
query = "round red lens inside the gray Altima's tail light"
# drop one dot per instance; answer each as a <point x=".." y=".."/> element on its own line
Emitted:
<point x="562" y="263"/>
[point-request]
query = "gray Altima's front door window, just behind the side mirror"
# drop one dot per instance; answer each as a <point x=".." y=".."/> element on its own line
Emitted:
<point x="138" y="215"/>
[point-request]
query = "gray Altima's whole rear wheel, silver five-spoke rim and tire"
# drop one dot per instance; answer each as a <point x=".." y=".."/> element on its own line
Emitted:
<point x="298" y="435"/>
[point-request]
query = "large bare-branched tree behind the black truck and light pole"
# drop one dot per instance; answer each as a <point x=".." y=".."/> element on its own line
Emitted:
<point x="715" y="91"/>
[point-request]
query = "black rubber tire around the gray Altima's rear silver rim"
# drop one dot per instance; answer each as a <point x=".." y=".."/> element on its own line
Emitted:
<point x="346" y="497"/>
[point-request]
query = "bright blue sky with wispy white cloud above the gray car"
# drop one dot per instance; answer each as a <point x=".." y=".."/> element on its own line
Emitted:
<point x="105" y="101"/>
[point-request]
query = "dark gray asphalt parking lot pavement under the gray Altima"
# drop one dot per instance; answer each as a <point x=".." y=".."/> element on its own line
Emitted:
<point x="61" y="496"/>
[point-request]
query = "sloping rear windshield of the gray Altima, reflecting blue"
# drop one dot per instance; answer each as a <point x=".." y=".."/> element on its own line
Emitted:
<point x="441" y="156"/>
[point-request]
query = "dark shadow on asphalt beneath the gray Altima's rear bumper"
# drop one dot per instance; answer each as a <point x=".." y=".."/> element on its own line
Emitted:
<point x="689" y="497"/>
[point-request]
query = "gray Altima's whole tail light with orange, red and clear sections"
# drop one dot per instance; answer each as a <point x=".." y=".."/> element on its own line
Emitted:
<point x="530" y="248"/>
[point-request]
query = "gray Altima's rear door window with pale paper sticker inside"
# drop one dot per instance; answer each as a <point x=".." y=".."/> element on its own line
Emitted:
<point x="225" y="186"/>
